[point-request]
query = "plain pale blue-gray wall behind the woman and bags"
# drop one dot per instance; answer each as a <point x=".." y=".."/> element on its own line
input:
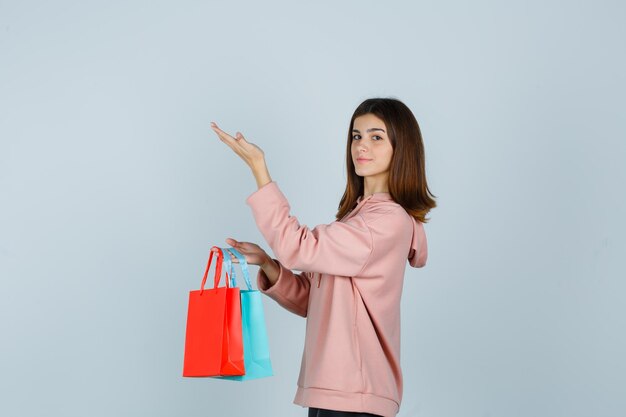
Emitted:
<point x="113" y="188"/>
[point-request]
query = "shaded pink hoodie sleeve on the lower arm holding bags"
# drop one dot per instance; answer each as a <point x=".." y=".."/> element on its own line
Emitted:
<point x="291" y="291"/>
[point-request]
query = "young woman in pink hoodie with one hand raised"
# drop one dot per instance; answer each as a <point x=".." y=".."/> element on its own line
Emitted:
<point x="353" y="268"/>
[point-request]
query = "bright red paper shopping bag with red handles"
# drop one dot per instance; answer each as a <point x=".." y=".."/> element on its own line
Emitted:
<point x="213" y="339"/>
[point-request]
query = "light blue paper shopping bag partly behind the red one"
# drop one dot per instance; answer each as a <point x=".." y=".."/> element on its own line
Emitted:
<point x="255" y="342"/>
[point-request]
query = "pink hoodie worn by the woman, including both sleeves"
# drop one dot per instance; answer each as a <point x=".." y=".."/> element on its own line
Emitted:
<point x="350" y="295"/>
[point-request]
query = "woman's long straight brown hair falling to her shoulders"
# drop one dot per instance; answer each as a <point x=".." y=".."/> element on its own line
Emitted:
<point x="407" y="173"/>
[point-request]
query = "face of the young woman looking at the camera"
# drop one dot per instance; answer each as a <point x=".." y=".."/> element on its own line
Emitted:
<point x="371" y="143"/>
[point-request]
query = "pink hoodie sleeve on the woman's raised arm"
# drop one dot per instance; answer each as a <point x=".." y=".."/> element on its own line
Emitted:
<point x="339" y="248"/>
